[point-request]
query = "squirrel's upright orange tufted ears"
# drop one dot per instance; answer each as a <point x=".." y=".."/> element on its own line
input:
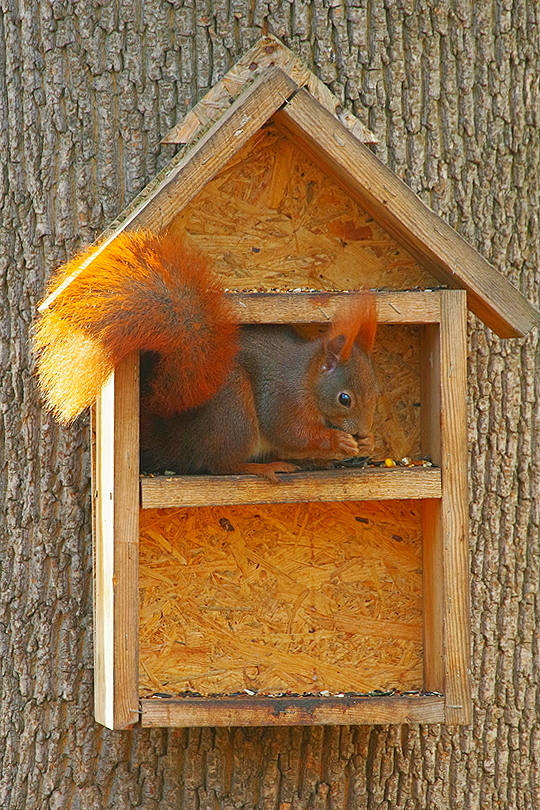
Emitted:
<point x="356" y="322"/>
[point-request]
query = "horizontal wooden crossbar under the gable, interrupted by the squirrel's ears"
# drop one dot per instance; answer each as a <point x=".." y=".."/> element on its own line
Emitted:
<point x="319" y="307"/>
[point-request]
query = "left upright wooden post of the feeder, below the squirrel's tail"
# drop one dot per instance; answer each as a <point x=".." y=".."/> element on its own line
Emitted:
<point x="116" y="553"/>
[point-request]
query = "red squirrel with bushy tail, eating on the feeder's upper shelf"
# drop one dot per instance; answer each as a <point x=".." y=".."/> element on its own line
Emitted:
<point x="216" y="397"/>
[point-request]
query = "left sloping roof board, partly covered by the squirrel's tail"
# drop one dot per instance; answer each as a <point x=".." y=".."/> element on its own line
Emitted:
<point x="156" y="205"/>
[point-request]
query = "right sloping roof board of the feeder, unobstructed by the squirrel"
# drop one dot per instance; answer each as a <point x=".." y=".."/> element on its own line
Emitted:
<point x="422" y="232"/>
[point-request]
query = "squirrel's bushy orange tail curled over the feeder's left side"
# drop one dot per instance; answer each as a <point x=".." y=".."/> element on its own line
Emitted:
<point x="142" y="292"/>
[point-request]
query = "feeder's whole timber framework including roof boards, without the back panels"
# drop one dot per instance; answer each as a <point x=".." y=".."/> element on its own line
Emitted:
<point x="286" y="93"/>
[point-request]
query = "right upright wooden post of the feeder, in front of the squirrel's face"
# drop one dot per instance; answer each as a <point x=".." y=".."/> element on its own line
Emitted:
<point x="446" y="557"/>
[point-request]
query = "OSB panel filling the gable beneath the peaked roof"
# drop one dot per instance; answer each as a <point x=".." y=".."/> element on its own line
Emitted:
<point x="272" y="219"/>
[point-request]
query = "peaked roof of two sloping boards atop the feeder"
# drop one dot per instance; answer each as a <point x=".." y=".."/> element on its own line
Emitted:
<point x="325" y="138"/>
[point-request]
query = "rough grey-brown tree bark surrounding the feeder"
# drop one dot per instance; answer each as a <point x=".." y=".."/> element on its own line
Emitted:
<point x="86" y="91"/>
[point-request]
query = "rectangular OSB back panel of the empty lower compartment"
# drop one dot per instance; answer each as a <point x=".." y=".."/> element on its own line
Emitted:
<point x="301" y="597"/>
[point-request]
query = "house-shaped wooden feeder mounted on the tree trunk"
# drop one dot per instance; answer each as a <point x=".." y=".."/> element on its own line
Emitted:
<point x="337" y="596"/>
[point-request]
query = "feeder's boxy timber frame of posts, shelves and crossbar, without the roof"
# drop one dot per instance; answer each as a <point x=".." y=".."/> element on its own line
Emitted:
<point x="443" y="491"/>
